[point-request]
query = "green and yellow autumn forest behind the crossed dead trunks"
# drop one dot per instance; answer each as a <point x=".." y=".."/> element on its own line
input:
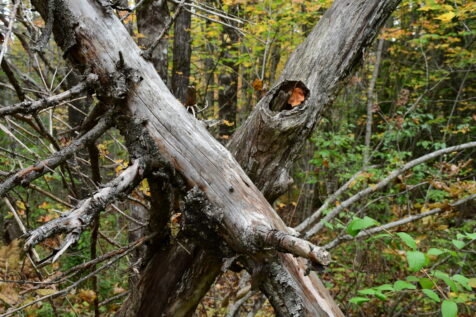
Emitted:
<point x="414" y="94"/>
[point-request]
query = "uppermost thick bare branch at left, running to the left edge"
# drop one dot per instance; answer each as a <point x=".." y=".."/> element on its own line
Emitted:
<point x="27" y="107"/>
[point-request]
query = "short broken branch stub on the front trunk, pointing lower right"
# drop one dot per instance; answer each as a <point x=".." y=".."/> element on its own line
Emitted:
<point x="286" y="242"/>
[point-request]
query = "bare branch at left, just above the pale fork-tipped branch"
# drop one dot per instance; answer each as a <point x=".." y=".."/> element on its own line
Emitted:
<point x="27" y="175"/>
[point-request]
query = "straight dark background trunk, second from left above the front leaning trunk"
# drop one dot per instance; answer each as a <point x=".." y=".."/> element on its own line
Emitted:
<point x="182" y="52"/>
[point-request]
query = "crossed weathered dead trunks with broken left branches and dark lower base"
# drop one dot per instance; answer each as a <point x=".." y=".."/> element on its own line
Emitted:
<point x="221" y="199"/>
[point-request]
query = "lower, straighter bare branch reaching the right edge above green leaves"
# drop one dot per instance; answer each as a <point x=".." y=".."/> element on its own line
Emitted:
<point x="385" y="227"/>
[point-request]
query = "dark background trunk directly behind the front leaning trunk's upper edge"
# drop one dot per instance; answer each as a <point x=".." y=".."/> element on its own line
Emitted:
<point x="152" y="17"/>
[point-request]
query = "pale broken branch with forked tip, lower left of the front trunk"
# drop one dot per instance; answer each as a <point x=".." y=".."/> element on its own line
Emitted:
<point x="77" y="220"/>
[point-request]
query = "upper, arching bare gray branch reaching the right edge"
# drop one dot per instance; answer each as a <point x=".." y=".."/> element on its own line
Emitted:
<point x="384" y="183"/>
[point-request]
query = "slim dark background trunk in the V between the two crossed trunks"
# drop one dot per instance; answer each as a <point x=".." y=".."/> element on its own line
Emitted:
<point x="228" y="81"/>
